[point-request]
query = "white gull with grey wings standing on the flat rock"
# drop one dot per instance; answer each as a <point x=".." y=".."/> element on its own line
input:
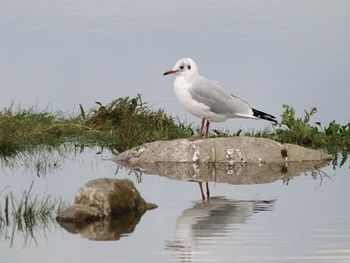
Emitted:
<point x="207" y="99"/>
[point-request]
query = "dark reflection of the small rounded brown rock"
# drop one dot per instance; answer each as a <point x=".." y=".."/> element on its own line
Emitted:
<point x="105" y="229"/>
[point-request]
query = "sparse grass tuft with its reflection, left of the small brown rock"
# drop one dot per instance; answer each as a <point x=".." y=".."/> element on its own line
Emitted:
<point x="26" y="214"/>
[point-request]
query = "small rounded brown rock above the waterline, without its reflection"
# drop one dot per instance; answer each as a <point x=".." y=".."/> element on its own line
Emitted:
<point x="105" y="198"/>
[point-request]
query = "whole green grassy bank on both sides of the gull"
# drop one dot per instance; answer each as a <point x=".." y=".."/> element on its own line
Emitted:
<point x="127" y="122"/>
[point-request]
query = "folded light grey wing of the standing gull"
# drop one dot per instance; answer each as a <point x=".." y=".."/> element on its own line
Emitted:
<point x="213" y="95"/>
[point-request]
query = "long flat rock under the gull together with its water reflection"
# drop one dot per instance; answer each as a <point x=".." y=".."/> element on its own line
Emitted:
<point x="236" y="160"/>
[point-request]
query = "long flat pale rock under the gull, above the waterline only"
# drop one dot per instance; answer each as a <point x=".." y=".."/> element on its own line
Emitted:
<point x="227" y="150"/>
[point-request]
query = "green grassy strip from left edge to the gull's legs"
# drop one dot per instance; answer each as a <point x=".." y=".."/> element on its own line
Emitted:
<point x="124" y="123"/>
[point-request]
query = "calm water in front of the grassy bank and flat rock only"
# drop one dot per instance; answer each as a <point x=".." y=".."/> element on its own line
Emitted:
<point x="304" y="219"/>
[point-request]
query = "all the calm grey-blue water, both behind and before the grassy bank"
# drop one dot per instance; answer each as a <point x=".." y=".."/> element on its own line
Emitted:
<point x="57" y="54"/>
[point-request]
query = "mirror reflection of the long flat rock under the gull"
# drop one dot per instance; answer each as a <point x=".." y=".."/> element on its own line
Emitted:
<point x="239" y="173"/>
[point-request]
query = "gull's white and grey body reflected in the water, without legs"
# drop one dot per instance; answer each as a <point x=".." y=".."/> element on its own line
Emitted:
<point x="209" y="223"/>
